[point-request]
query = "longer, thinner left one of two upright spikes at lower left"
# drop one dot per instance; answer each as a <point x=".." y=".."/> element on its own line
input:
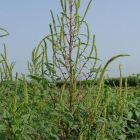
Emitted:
<point x="15" y="94"/>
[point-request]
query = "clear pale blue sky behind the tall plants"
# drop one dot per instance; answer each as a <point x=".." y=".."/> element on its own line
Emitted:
<point x="116" y="24"/>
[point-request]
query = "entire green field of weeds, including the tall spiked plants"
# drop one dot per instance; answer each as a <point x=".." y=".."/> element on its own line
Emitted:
<point x="49" y="110"/>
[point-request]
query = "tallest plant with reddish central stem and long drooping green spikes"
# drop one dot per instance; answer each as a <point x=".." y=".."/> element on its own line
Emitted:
<point x="66" y="43"/>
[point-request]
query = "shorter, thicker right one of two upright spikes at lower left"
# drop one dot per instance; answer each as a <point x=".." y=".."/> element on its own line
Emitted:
<point x="25" y="90"/>
